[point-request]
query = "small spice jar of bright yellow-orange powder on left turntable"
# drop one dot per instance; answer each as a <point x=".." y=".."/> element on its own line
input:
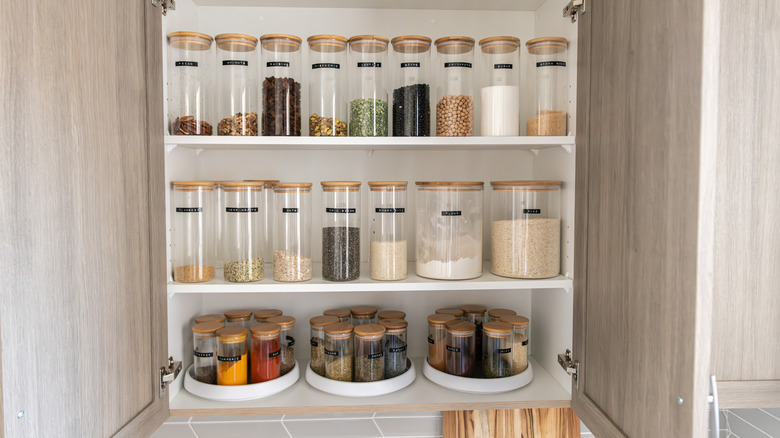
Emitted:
<point x="232" y="360"/>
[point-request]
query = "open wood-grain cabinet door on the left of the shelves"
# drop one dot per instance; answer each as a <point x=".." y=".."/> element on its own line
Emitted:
<point x="83" y="314"/>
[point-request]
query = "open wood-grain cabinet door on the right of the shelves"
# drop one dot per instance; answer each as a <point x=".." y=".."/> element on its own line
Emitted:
<point x="640" y="333"/>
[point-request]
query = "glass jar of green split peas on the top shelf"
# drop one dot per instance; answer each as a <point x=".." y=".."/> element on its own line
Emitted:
<point x="368" y="93"/>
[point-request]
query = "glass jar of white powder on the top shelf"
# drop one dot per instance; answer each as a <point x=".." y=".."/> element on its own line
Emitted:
<point x="500" y="97"/>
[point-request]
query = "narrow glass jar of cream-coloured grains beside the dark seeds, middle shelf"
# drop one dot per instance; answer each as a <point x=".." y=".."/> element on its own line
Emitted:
<point x="388" y="253"/>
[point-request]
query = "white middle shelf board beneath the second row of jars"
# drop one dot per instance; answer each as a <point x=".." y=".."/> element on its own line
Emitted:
<point x="487" y="281"/>
